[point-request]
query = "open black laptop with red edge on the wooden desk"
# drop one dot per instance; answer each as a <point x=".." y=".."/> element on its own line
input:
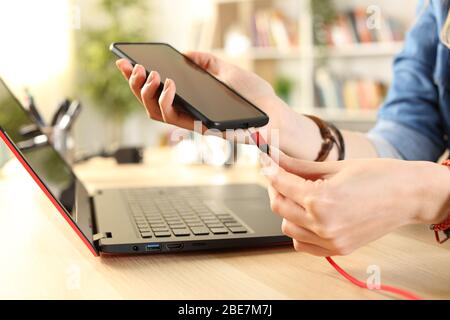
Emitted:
<point x="142" y="220"/>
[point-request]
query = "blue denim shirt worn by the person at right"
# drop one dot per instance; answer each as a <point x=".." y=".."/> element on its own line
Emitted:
<point x="414" y="122"/>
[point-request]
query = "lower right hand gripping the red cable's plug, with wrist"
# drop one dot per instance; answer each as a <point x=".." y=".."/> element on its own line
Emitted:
<point x="333" y="208"/>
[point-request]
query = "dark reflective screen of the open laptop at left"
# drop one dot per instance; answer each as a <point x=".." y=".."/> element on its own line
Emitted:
<point x="45" y="161"/>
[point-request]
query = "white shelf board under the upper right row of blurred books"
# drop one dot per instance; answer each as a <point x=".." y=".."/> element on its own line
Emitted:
<point x="364" y="50"/>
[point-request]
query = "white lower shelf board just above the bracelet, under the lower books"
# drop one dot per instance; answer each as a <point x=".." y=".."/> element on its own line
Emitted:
<point x="341" y="115"/>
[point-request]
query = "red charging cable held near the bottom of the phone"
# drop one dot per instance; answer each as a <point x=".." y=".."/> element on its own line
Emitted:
<point x="264" y="147"/>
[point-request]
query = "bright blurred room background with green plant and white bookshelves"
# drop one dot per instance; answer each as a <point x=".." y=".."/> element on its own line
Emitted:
<point x="329" y="58"/>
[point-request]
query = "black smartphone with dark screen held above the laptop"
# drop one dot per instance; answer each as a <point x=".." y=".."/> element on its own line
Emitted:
<point x="201" y="94"/>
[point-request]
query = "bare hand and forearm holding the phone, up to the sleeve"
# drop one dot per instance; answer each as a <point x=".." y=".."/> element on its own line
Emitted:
<point x="298" y="135"/>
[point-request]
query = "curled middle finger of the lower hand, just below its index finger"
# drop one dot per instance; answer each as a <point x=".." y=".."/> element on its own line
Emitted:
<point x="289" y="210"/>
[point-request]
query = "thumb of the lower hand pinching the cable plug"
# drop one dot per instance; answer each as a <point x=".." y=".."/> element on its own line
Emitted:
<point x="309" y="170"/>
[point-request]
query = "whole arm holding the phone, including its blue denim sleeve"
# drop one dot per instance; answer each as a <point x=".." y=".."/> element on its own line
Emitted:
<point x="409" y="122"/>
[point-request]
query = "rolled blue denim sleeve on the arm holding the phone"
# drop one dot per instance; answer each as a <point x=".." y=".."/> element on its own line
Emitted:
<point x="410" y="120"/>
